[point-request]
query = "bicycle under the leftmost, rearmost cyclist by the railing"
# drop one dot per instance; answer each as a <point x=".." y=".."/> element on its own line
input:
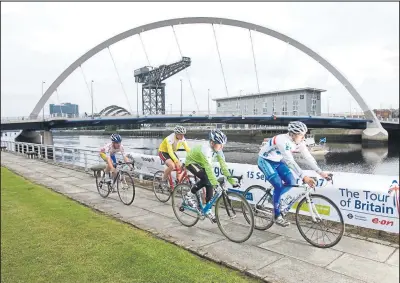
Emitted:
<point x="121" y="177"/>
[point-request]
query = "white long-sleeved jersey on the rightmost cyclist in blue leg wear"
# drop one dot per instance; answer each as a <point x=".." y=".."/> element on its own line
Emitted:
<point x="281" y="147"/>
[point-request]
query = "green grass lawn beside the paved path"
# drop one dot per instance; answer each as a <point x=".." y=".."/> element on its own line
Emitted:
<point x="46" y="237"/>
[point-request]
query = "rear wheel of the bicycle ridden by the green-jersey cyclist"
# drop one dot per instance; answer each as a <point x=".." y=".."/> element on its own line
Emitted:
<point x="186" y="215"/>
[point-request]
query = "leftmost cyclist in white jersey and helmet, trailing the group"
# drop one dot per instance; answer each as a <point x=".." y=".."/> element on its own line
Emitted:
<point x="107" y="153"/>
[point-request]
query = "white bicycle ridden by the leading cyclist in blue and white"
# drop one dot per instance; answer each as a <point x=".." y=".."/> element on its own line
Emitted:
<point x="319" y="213"/>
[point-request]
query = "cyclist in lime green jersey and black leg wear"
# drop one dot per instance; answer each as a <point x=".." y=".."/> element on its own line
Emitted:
<point x="199" y="162"/>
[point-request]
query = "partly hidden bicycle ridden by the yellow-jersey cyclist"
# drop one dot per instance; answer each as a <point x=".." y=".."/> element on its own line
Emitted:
<point x="164" y="194"/>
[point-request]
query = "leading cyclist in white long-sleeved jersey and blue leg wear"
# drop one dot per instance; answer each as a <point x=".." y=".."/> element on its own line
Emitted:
<point x="275" y="158"/>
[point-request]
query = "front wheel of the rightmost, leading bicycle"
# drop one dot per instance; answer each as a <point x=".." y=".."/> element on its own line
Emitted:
<point x="320" y="221"/>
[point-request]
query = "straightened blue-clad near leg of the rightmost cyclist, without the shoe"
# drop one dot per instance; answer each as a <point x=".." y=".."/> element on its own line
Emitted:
<point x="272" y="176"/>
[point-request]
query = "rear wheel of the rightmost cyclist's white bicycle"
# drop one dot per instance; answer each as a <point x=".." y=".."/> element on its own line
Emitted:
<point x="263" y="212"/>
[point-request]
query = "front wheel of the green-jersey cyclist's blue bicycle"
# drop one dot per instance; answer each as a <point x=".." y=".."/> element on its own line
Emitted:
<point x="234" y="217"/>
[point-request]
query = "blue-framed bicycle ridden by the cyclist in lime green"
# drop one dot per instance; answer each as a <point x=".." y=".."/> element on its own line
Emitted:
<point x="224" y="200"/>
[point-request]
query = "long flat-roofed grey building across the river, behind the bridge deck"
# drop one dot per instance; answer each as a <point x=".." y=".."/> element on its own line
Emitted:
<point x="292" y="102"/>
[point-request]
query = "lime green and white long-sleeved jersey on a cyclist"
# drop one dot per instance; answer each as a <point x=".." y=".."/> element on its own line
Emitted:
<point x="204" y="156"/>
